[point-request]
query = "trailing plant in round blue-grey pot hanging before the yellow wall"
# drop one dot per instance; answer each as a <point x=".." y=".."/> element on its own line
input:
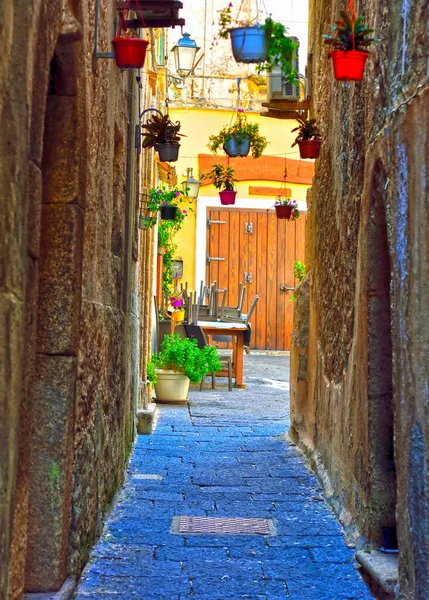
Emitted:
<point x="239" y="138"/>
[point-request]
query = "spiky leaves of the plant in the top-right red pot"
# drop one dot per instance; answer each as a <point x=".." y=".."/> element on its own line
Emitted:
<point x="350" y="33"/>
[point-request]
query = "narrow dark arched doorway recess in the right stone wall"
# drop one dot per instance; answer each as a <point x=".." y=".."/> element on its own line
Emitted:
<point x="380" y="379"/>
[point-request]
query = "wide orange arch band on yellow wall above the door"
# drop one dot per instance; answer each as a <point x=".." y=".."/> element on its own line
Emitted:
<point x="266" y="168"/>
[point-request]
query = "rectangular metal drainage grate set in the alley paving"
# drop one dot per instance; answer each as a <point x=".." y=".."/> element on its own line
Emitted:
<point x="222" y="526"/>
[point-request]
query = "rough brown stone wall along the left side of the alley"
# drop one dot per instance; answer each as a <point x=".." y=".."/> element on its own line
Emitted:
<point x="70" y="300"/>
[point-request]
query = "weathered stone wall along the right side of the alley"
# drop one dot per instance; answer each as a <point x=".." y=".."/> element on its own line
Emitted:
<point x="363" y="413"/>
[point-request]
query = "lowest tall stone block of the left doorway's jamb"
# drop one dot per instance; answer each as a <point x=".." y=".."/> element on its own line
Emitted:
<point x="50" y="472"/>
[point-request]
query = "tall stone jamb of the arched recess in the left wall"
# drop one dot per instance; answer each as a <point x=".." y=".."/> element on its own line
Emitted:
<point x="58" y="318"/>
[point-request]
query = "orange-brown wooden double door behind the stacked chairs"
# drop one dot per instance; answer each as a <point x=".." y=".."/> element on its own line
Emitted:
<point x="257" y="249"/>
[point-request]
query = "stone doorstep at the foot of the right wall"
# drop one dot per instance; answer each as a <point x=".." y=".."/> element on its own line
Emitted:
<point x="380" y="571"/>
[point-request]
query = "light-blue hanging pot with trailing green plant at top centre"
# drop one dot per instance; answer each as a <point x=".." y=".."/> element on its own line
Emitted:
<point x="267" y="44"/>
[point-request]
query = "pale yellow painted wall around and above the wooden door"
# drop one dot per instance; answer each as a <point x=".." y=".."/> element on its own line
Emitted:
<point x="197" y="125"/>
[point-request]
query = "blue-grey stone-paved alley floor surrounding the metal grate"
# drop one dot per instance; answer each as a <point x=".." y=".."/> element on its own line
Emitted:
<point x="225" y="455"/>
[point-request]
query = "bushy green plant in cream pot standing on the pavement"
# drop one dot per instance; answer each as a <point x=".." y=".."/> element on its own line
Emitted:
<point x="178" y="362"/>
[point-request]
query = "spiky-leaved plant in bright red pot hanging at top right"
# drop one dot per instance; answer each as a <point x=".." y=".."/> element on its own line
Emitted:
<point x="349" y="38"/>
